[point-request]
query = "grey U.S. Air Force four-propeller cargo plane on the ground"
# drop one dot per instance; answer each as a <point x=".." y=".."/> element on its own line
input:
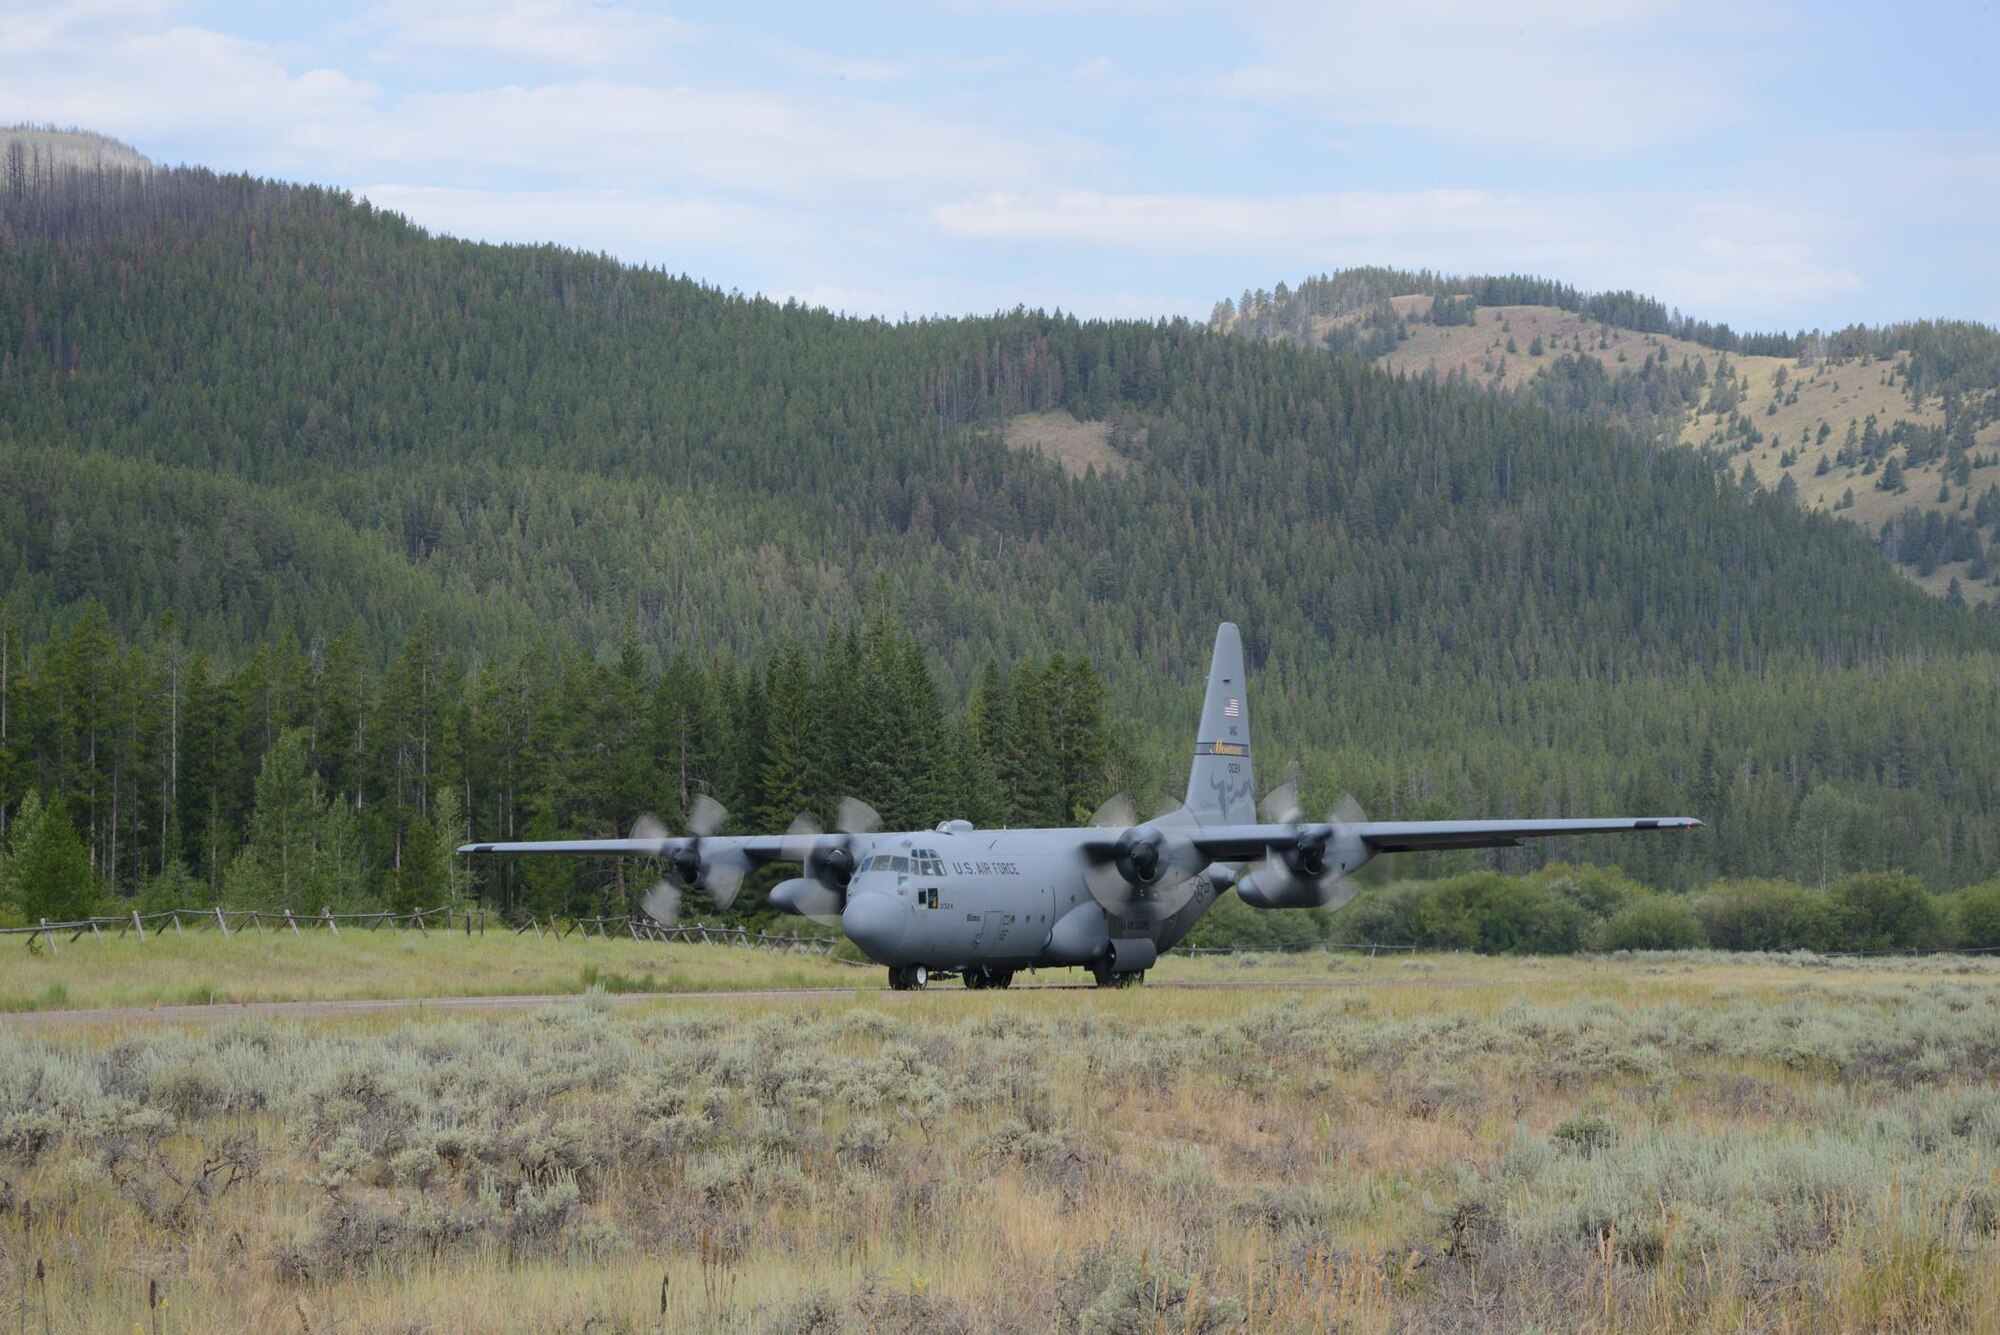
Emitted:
<point x="985" y="904"/>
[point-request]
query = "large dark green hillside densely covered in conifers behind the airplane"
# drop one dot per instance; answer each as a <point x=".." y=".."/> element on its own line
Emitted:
<point x="275" y="413"/>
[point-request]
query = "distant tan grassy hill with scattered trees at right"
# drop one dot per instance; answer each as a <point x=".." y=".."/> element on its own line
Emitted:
<point x="1893" y="429"/>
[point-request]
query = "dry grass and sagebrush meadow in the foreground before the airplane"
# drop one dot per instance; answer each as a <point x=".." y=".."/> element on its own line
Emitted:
<point x="1635" y="1144"/>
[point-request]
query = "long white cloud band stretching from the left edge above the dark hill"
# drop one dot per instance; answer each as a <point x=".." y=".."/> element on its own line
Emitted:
<point x="253" y="113"/>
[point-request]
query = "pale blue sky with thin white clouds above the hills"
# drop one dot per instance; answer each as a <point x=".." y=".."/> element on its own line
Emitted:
<point x="1767" y="165"/>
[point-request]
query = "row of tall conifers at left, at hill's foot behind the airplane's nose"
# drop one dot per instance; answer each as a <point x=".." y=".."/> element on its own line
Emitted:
<point x="305" y="778"/>
